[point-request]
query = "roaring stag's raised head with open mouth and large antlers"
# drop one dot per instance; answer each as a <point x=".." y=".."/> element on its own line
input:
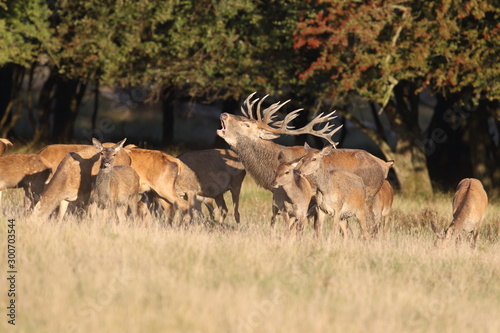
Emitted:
<point x="263" y="125"/>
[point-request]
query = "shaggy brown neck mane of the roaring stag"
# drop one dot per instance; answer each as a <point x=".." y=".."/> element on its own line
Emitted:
<point x="260" y="159"/>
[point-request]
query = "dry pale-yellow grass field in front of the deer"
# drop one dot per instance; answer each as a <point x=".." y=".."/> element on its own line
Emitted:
<point x="97" y="276"/>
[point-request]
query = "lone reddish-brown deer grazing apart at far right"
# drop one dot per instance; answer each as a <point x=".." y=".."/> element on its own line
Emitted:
<point x="469" y="206"/>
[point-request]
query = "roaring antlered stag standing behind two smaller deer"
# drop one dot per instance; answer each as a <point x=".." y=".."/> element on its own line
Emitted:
<point x="250" y="137"/>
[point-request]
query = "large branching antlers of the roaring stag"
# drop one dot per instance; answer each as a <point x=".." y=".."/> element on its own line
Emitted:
<point x="265" y="119"/>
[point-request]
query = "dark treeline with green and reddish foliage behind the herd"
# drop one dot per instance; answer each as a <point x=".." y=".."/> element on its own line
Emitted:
<point x="321" y="54"/>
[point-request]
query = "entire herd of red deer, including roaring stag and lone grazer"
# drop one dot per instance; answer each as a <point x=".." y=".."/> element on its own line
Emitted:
<point x="306" y="183"/>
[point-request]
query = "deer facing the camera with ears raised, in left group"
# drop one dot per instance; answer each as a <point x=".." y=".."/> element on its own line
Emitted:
<point x="116" y="187"/>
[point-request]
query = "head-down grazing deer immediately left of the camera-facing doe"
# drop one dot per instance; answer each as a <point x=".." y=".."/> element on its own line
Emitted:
<point x="72" y="180"/>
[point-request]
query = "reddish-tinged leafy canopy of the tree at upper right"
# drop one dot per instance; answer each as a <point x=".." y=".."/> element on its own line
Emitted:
<point x="442" y="46"/>
